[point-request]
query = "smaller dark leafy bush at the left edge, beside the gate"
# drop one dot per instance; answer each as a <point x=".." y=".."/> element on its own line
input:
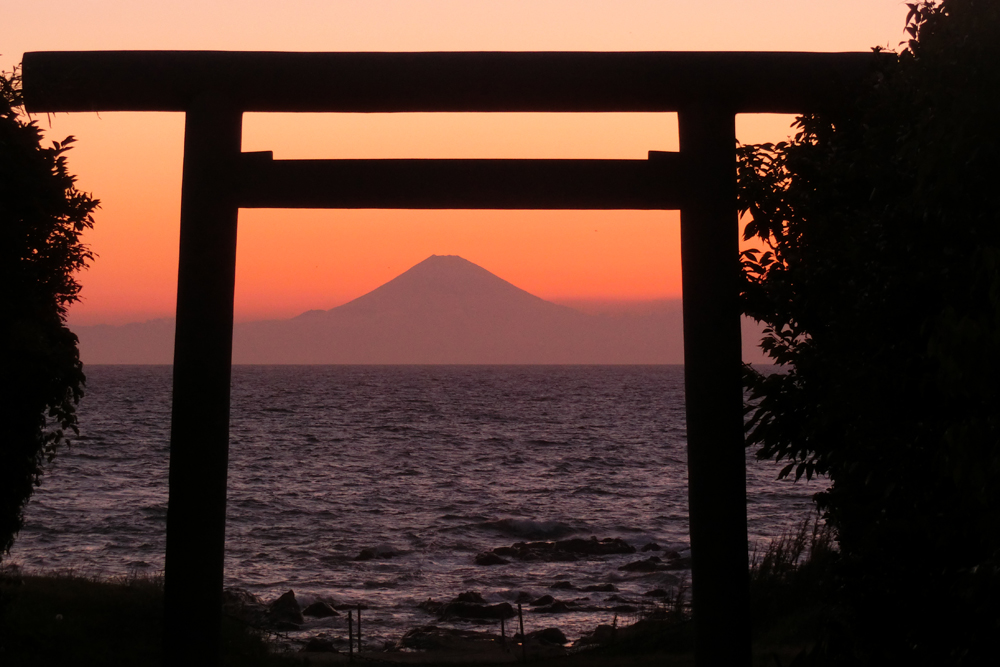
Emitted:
<point x="42" y="215"/>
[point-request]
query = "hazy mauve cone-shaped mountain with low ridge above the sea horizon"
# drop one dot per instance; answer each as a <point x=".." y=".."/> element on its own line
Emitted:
<point x="444" y="310"/>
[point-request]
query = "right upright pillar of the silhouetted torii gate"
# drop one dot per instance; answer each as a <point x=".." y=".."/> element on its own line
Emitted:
<point x="713" y="388"/>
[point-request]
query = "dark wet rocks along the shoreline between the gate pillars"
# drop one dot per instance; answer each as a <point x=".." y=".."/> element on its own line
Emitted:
<point x="326" y="626"/>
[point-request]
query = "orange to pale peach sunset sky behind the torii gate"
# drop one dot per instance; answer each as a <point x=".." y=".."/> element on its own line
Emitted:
<point x="291" y="261"/>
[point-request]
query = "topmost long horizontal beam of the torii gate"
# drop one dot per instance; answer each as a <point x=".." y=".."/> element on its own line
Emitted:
<point x="747" y="82"/>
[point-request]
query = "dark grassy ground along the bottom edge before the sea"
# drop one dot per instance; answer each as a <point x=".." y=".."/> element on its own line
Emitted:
<point x="62" y="619"/>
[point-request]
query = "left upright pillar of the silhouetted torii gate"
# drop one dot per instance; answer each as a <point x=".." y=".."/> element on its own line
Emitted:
<point x="199" y="429"/>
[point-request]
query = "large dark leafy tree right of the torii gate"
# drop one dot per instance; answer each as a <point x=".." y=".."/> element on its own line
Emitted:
<point x="879" y="284"/>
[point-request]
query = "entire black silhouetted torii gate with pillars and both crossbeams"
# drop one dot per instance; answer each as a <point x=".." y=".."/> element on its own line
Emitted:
<point x="214" y="89"/>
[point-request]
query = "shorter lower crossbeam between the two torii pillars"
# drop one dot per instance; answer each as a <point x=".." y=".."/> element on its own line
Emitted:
<point x="653" y="184"/>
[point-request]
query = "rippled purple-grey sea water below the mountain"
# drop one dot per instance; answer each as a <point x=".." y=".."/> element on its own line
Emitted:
<point x="434" y="464"/>
